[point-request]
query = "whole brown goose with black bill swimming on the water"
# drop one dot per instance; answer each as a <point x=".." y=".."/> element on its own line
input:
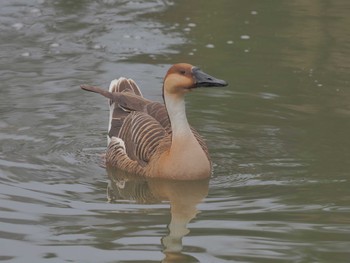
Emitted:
<point x="154" y="139"/>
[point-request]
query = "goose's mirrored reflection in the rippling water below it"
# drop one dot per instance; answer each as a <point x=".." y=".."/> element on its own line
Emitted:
<point x="183" y="196"/>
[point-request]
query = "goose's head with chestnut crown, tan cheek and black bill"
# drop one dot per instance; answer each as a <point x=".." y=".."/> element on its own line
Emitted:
<point x="182" y="78"/>
